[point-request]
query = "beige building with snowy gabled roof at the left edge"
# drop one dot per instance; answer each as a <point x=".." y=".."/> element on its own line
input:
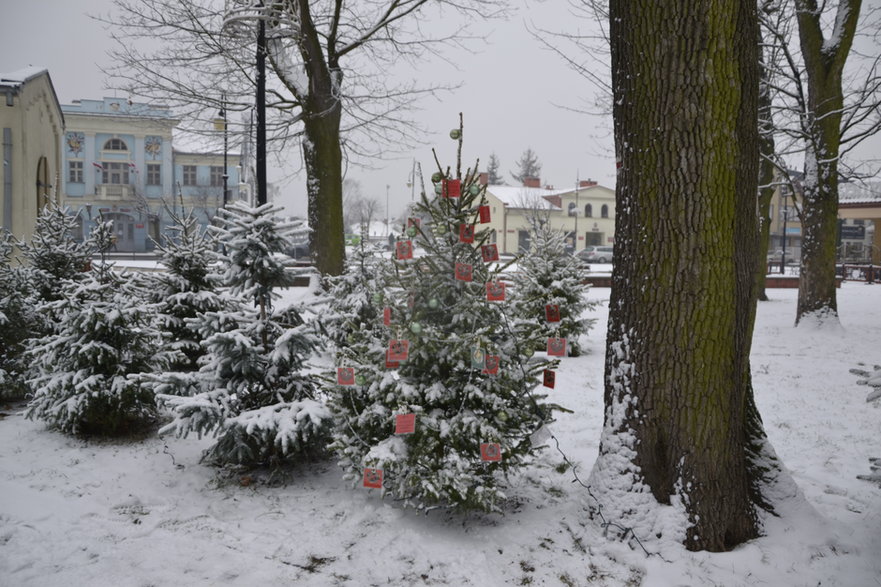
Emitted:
<point x="31" y="123"/>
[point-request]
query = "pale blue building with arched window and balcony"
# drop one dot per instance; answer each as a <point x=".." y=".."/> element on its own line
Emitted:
<point x="120" y="164"/>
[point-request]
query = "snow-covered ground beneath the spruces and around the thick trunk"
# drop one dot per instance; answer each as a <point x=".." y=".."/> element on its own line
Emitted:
<point x="145" y="512"/>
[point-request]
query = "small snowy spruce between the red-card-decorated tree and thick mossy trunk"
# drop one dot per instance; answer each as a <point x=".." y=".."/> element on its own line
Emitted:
<point x="549" y="290"/>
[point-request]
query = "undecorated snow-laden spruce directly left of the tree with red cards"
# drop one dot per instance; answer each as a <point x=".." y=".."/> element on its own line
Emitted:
<point x="255" y="397"/>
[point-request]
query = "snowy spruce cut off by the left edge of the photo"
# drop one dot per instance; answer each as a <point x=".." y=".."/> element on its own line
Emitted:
<point x="18" y="320"/>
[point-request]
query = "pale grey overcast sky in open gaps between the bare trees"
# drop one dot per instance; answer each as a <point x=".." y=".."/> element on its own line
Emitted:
<point x="511" y="95"/>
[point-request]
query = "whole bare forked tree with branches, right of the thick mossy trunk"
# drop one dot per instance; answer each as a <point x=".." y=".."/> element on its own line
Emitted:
<point x="824" y="106"/>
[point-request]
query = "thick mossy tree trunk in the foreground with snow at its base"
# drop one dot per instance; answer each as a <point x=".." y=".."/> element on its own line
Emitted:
<point x="680" y="420"/>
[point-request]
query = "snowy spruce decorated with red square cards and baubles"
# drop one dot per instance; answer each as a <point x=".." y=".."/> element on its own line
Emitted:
<point x="452" y="368"/>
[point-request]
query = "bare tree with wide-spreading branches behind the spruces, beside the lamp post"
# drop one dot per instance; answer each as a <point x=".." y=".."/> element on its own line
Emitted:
<point x="328" y="64"/>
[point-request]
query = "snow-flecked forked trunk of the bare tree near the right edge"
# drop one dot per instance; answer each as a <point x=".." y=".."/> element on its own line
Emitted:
<point x="824" y="63"/>
